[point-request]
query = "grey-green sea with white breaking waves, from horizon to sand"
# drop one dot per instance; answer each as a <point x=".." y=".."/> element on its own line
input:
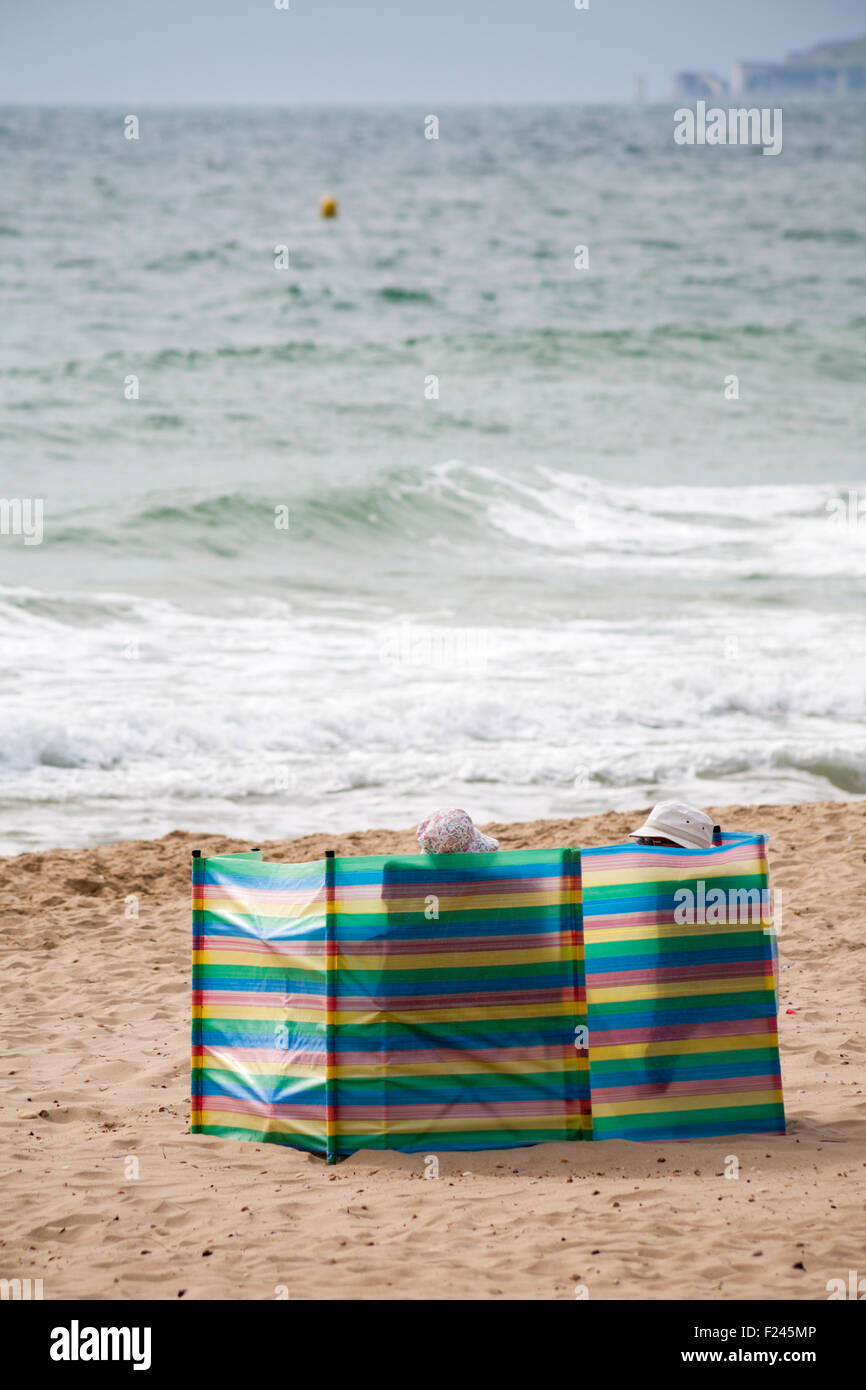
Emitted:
<point x="533" y="483"/>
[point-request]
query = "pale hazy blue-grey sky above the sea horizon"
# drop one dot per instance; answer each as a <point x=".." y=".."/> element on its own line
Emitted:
<point x="380" y="52"/>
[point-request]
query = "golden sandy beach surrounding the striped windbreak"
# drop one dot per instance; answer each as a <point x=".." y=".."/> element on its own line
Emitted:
<point x="108" y="1195"/>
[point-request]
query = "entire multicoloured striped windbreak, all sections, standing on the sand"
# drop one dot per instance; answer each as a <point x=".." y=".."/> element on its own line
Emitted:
<point x="432" y="1003"/>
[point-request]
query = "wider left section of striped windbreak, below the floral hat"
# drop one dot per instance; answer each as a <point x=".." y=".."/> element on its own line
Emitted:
<point x="414" y="1003"/>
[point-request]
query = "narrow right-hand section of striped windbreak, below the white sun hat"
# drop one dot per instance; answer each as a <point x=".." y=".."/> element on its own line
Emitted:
<point x="682" y="961"/>
